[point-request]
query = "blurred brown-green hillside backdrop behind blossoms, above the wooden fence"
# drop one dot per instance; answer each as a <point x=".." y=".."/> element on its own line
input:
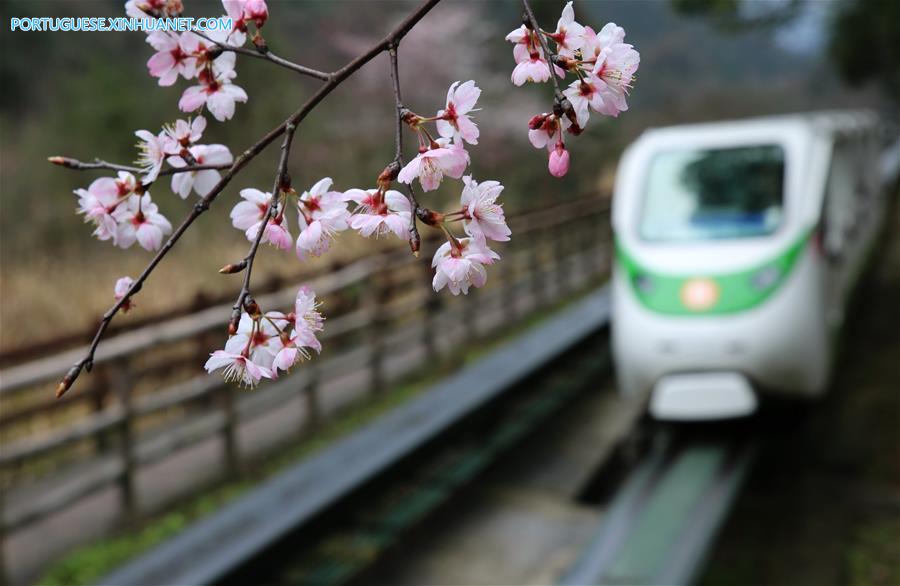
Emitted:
<point x="84" y="94"/>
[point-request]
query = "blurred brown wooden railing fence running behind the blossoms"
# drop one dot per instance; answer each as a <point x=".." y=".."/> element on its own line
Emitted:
<point x="147" y="402"/>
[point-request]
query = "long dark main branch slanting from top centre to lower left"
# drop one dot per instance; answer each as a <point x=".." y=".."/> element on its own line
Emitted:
<point x="336" y="78"/>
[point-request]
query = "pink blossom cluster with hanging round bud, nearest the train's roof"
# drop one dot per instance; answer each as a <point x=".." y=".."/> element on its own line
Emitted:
<point x="603" y="64"/>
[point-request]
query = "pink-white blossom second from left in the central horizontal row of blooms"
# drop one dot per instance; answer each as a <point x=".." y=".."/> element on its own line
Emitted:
<point x="321" y="215"/>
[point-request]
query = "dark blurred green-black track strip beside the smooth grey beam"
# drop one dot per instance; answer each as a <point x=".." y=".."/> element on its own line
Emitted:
<point x="377" y="520"/>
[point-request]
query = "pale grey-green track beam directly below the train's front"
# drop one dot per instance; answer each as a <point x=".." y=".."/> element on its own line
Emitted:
<point x="662" y="523"/>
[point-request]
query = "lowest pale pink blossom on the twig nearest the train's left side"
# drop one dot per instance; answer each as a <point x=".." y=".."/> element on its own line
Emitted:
<point x="460" y="264"/>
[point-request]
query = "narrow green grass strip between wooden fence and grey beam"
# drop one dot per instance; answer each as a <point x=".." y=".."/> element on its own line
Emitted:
<point x="89" y="563"/>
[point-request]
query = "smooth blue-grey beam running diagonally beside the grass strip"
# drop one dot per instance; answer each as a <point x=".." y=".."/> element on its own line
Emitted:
<point x="211" y="548"/>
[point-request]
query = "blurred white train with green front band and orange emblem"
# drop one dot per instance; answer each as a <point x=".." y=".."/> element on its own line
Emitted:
<point x="737" y="245"/>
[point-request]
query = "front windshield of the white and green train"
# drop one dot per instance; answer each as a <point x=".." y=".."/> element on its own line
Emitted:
<point x="713" y="194"/>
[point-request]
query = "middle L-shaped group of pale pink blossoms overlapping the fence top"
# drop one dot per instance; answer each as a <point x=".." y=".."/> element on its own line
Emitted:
<point x="322" y="213"/>
